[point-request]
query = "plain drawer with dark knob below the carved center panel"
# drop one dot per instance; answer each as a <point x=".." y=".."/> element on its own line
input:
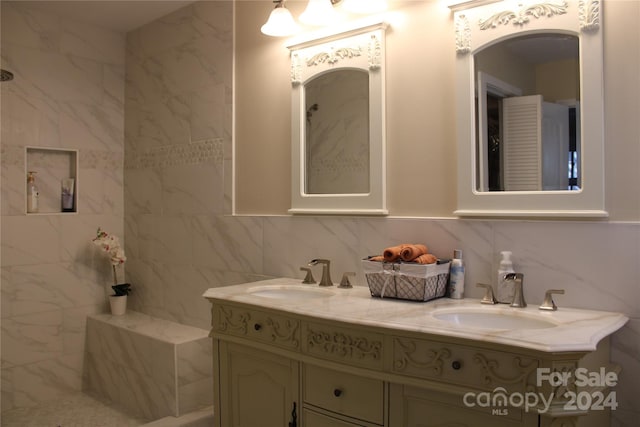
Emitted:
<point x="346" y="394"/>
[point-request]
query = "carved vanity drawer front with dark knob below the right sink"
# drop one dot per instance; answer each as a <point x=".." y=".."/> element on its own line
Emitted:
<point x="464" y="365"/>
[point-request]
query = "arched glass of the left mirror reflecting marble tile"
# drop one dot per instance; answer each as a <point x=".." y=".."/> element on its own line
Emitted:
<point x="337" y="133"/>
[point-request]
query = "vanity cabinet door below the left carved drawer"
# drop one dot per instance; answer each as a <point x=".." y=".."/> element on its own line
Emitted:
<point x="257" y="388"/>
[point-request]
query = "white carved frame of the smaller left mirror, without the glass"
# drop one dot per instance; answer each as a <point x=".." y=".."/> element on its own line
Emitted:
<point x="356" y="48"/>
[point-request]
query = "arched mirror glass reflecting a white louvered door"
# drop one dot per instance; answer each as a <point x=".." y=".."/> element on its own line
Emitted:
<point x="528" y="114"/>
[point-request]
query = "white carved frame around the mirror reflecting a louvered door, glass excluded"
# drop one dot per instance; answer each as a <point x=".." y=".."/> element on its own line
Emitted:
<point x="482" y="26"/>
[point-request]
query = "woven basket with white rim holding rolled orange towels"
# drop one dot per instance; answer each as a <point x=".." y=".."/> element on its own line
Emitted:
<point x="415" y="282"/>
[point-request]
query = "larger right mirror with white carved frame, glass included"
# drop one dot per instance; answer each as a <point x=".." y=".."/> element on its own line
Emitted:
<point x="530" y="109"/>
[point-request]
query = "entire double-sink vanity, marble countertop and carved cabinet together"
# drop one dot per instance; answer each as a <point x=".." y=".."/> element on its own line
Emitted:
<point x="287" y="354"/>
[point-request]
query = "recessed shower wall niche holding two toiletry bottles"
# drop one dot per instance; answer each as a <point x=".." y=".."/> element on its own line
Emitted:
<point x="56" y="178"/>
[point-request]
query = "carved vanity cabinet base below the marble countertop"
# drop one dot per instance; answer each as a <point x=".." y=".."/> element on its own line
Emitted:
<point x="274" y="367"/>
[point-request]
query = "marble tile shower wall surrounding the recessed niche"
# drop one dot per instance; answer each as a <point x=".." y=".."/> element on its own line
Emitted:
<point x="68" y="92"/>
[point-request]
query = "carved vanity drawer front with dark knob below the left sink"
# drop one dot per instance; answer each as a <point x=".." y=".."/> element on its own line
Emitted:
<point x="256" y="325"/>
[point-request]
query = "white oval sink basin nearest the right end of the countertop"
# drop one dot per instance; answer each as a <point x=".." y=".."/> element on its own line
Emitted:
<point x="493" y="320"/>
